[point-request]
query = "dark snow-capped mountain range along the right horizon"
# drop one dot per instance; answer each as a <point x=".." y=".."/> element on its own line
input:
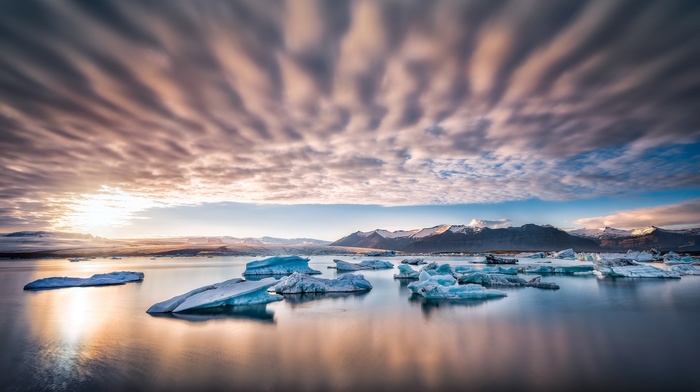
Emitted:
<point x="529" y="237"/>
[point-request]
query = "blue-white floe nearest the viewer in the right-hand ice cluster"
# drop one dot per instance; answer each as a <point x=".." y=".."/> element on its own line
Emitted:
<point x="438" y="287"/>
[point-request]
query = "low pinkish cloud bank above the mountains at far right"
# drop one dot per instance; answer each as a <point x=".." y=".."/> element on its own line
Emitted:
<point x="686" y="214"/>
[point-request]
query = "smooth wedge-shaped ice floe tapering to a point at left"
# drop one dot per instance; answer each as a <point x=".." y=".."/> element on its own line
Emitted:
<point x="232" y="292"/>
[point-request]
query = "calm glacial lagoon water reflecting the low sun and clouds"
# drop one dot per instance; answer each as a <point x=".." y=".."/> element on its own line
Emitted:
<point x="611" y="334"/>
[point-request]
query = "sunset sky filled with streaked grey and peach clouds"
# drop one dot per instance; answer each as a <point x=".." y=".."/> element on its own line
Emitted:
<point x="315" y="119"/>
